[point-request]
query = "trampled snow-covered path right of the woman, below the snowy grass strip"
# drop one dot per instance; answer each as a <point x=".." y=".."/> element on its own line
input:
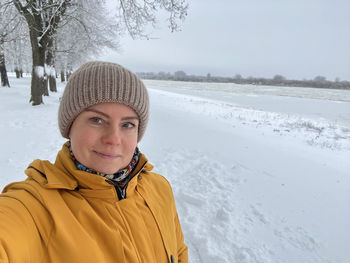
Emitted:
<point x="246" y="193"/>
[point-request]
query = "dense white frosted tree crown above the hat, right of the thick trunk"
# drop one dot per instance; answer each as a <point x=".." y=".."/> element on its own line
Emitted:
<point x="88" y="29"/>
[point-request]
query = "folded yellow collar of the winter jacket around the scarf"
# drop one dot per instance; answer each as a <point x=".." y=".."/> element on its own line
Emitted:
<point x="63" y="174"/>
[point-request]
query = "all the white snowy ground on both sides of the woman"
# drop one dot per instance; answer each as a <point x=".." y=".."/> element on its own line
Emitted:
<point x="260" y="174"/>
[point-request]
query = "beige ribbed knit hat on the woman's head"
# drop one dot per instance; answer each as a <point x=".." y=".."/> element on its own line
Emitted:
<point x="96" y="82"/>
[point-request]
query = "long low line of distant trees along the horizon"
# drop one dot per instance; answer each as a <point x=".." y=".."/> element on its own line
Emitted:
<point x="277" y="80"/>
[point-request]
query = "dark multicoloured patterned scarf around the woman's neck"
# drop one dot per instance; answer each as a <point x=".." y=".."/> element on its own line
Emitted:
<point x="119" y="179"/>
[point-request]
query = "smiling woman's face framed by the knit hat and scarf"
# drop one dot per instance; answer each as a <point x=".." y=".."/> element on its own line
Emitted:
<point x="104" y="136"/>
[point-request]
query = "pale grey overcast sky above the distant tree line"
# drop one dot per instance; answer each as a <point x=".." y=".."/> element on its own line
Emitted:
<point x="295" y="38"/>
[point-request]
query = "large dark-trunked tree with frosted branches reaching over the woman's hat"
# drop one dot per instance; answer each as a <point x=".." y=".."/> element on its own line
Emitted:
<point x="45" y="18"/>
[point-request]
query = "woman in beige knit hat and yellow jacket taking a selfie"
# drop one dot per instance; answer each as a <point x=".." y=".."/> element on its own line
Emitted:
<point x="99" y="201"/>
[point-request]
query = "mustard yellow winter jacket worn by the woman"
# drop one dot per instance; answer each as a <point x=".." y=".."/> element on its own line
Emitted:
<point x="62" y="214"/>
